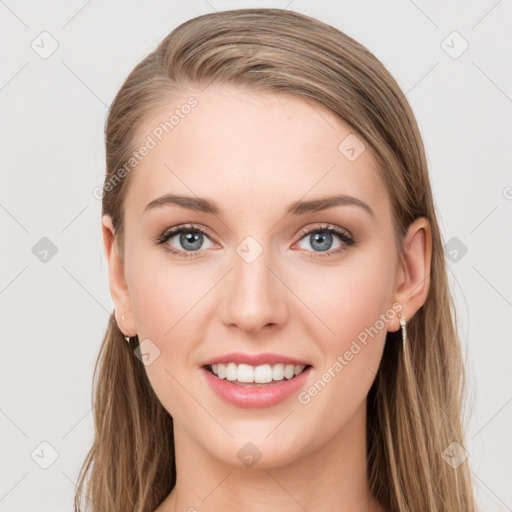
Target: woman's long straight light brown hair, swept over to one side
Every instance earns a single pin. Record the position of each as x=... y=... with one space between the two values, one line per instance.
x=414 y=406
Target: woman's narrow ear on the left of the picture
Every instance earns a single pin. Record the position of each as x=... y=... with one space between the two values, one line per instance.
x=117 y=281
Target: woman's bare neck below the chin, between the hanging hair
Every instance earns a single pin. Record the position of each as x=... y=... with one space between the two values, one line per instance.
x=332 y=476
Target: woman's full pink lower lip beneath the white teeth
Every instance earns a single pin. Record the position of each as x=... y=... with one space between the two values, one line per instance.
x=252 y=395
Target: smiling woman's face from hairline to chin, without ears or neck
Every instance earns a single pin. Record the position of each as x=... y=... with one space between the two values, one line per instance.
x=253 y=273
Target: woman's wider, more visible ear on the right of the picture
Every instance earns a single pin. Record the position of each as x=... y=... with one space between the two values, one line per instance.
x=413 y=276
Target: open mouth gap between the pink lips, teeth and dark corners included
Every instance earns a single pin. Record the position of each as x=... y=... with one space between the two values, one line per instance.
x=264 y=375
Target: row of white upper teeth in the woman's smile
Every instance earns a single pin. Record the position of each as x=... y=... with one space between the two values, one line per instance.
x=259 y=374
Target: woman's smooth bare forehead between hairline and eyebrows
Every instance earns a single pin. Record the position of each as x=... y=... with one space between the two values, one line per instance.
x=251 y=150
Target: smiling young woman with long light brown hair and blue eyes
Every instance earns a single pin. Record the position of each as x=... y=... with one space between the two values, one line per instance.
x=283 y=336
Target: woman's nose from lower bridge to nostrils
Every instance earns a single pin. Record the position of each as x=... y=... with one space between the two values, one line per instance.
x=254 y=299
